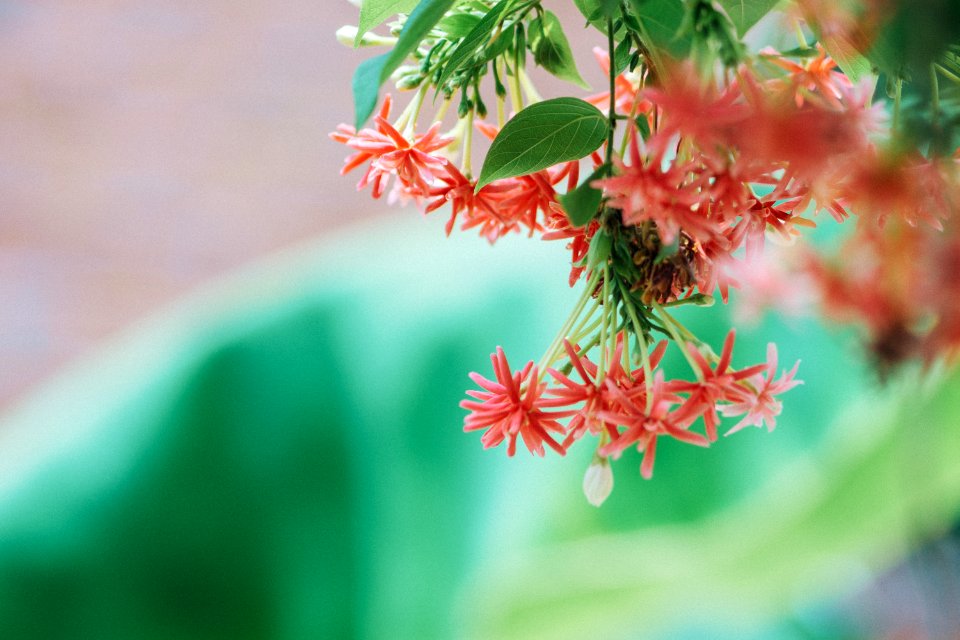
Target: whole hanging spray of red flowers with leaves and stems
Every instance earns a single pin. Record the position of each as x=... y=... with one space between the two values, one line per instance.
x=666 y=184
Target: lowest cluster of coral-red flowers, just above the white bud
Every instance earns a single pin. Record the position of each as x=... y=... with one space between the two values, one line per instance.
x=623 y=406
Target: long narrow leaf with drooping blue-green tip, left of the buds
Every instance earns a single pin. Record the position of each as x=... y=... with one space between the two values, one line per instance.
x=374 y=72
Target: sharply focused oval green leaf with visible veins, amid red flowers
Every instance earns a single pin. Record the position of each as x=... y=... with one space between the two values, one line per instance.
x=543 y=135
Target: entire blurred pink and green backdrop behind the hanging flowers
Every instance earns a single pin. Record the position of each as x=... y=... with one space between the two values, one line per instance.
x=230 y=384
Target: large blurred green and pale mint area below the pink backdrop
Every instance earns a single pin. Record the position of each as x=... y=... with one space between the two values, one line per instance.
x=281 y=456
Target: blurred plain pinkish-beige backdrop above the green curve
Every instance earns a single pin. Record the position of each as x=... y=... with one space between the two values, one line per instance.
x=146 y=146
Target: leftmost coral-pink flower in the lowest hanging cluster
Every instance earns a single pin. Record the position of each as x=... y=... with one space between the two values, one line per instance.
x=511 y=406
